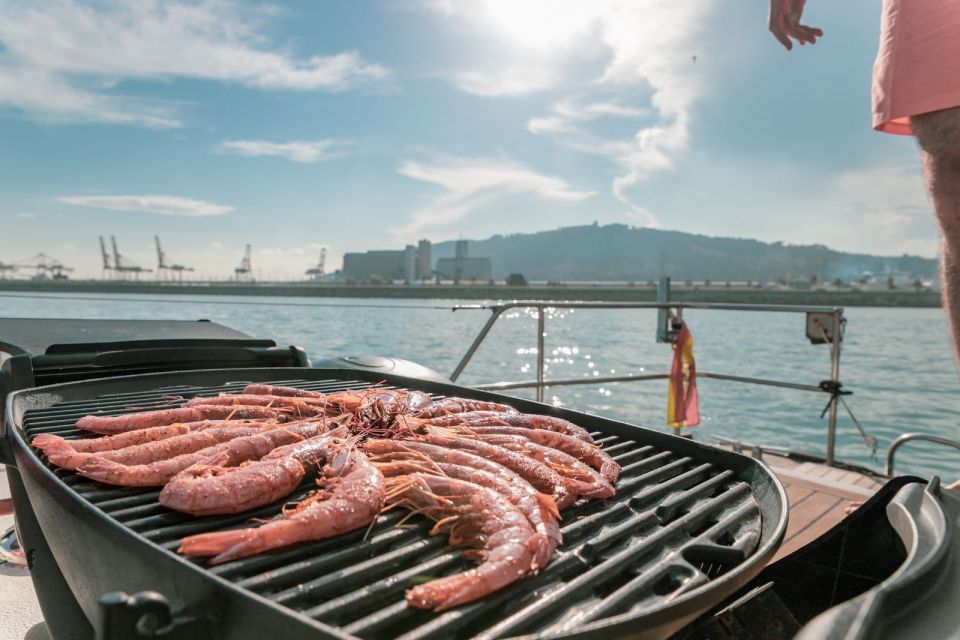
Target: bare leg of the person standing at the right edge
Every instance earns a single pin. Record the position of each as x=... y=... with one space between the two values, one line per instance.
x=938 y=133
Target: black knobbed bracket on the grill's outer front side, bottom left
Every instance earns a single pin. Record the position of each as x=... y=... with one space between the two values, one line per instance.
x=148 y=615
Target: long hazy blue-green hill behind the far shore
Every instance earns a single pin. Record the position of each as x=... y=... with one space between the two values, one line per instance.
x=620 y=252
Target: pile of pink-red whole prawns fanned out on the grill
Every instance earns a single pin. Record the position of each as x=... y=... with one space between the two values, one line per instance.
x=493 y=479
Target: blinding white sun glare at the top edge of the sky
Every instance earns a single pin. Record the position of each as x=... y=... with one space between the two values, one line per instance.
x=539 y=24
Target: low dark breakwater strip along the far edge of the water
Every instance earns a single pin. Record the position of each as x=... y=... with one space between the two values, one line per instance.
x=534 y=291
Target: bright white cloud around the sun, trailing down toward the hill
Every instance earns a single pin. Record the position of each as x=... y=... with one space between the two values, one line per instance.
x=650 y=46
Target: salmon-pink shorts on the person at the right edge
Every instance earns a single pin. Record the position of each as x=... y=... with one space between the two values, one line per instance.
x=918 y=64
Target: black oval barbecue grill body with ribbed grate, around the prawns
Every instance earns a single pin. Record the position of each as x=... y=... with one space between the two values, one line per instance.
x=690 y=525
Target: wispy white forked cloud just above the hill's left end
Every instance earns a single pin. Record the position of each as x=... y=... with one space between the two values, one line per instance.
x=470 y=184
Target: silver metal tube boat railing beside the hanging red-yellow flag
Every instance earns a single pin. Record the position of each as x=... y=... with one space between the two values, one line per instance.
x=828 y=323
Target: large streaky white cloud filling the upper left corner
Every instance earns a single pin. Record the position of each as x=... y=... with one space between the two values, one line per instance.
x=63 y=60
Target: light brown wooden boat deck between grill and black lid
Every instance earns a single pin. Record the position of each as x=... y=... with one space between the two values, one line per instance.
x=818 y=495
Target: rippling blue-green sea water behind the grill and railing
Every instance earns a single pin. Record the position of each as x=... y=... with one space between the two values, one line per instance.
x=897 y=361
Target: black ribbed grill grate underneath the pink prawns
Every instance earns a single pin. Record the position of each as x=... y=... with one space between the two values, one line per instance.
x=675 y=524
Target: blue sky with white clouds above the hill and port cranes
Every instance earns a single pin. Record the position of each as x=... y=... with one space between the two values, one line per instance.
x=370 y=125
